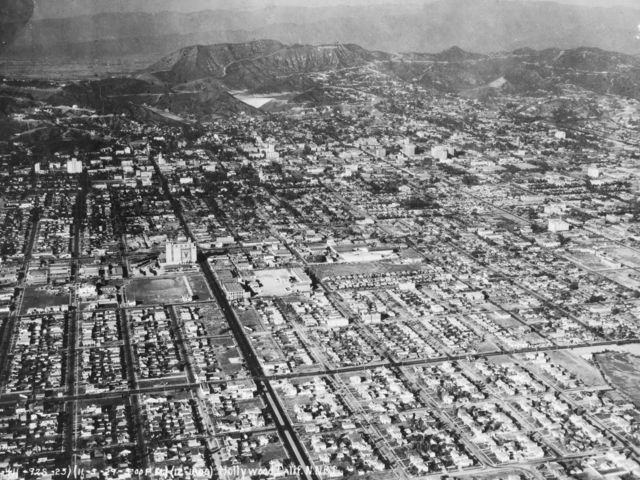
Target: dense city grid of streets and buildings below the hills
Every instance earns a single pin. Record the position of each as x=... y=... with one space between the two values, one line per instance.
x=382 y=283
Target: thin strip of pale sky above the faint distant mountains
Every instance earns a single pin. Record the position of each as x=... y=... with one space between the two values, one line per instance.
x=63 y=8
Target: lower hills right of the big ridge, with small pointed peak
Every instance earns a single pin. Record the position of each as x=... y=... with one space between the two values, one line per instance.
x=523 y=71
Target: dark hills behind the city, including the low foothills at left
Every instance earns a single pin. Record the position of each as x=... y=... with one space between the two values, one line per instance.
x=201 y=80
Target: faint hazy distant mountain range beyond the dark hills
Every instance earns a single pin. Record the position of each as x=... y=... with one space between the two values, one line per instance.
x=477 y=25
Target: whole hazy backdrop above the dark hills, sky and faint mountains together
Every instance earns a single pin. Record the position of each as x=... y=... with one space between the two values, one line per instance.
x=127 y=35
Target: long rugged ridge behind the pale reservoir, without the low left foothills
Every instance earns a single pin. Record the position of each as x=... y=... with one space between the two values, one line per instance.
x=268 y=66
